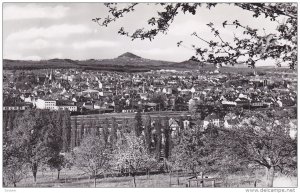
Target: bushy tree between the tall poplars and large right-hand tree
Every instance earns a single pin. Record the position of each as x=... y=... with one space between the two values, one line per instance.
x=197 y=151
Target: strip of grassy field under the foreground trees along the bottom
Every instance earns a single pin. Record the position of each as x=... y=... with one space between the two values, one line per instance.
x=75 y=178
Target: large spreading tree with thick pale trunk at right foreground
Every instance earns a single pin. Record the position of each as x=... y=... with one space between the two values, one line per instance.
x=263 y=139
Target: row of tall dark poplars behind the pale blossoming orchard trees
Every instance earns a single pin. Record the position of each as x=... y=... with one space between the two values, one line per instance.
x=155 y=132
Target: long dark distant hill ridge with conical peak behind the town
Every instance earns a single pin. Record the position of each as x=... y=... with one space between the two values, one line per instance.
x=127 y=62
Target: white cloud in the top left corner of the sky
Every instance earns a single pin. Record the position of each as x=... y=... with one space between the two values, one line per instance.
x=33 y=11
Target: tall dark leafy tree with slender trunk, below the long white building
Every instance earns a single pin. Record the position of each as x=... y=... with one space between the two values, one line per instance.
x=33 y=135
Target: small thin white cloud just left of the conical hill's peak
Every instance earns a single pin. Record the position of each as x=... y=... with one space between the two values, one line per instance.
x=94 y=44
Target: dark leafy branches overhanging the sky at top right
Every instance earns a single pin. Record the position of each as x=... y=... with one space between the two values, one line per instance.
x=253 y=45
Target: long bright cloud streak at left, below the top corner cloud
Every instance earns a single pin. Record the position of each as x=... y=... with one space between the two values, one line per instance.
x=54 y=31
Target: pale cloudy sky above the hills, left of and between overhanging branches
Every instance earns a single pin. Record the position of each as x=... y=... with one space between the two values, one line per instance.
x=38 y=31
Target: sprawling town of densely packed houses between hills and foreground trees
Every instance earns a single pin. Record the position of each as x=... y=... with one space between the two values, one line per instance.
x=202 y=97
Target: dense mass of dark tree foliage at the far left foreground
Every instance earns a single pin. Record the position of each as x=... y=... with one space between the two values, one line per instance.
x=34 y=141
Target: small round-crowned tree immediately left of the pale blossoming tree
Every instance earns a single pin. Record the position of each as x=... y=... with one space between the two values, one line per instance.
x=92 y=156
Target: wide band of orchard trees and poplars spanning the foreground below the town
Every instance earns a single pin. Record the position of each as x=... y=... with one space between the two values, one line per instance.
x=41 y=138
